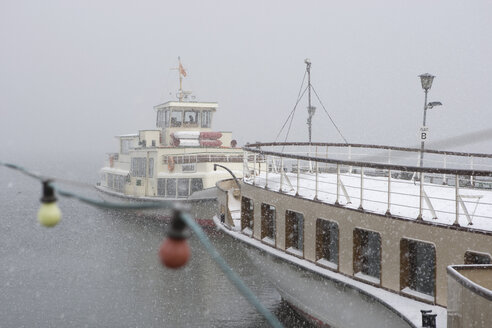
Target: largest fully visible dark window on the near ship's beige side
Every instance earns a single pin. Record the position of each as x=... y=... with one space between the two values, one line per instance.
x=417 y=267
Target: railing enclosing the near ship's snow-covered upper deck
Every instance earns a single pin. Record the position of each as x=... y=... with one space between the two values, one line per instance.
x=450 y=188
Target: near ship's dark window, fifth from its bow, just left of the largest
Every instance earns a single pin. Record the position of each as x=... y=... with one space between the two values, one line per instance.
x=367 y=255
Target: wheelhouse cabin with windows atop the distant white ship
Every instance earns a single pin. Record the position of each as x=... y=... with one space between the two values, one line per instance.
x=174 y=116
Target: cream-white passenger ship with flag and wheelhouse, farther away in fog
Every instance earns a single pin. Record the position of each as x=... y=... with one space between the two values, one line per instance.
x=174 y=161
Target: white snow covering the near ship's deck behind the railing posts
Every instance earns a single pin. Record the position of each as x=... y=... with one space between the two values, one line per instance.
x=404 y=196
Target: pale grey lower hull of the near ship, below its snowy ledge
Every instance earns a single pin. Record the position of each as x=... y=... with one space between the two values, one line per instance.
x=324 y=302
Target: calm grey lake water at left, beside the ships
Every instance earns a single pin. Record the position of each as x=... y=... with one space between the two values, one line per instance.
x=99 y=268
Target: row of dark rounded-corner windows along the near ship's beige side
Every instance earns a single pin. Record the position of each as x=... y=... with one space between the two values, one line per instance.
x=417 y=258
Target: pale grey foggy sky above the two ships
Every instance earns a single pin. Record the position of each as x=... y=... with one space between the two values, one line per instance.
x=73 y=74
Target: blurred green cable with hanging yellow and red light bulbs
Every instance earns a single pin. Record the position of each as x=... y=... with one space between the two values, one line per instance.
x=174 y=251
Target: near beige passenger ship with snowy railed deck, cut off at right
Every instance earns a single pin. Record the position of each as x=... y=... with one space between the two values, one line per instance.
x=350 y=240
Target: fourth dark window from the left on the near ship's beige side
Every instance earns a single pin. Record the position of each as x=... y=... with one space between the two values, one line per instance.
x=326 y=241
